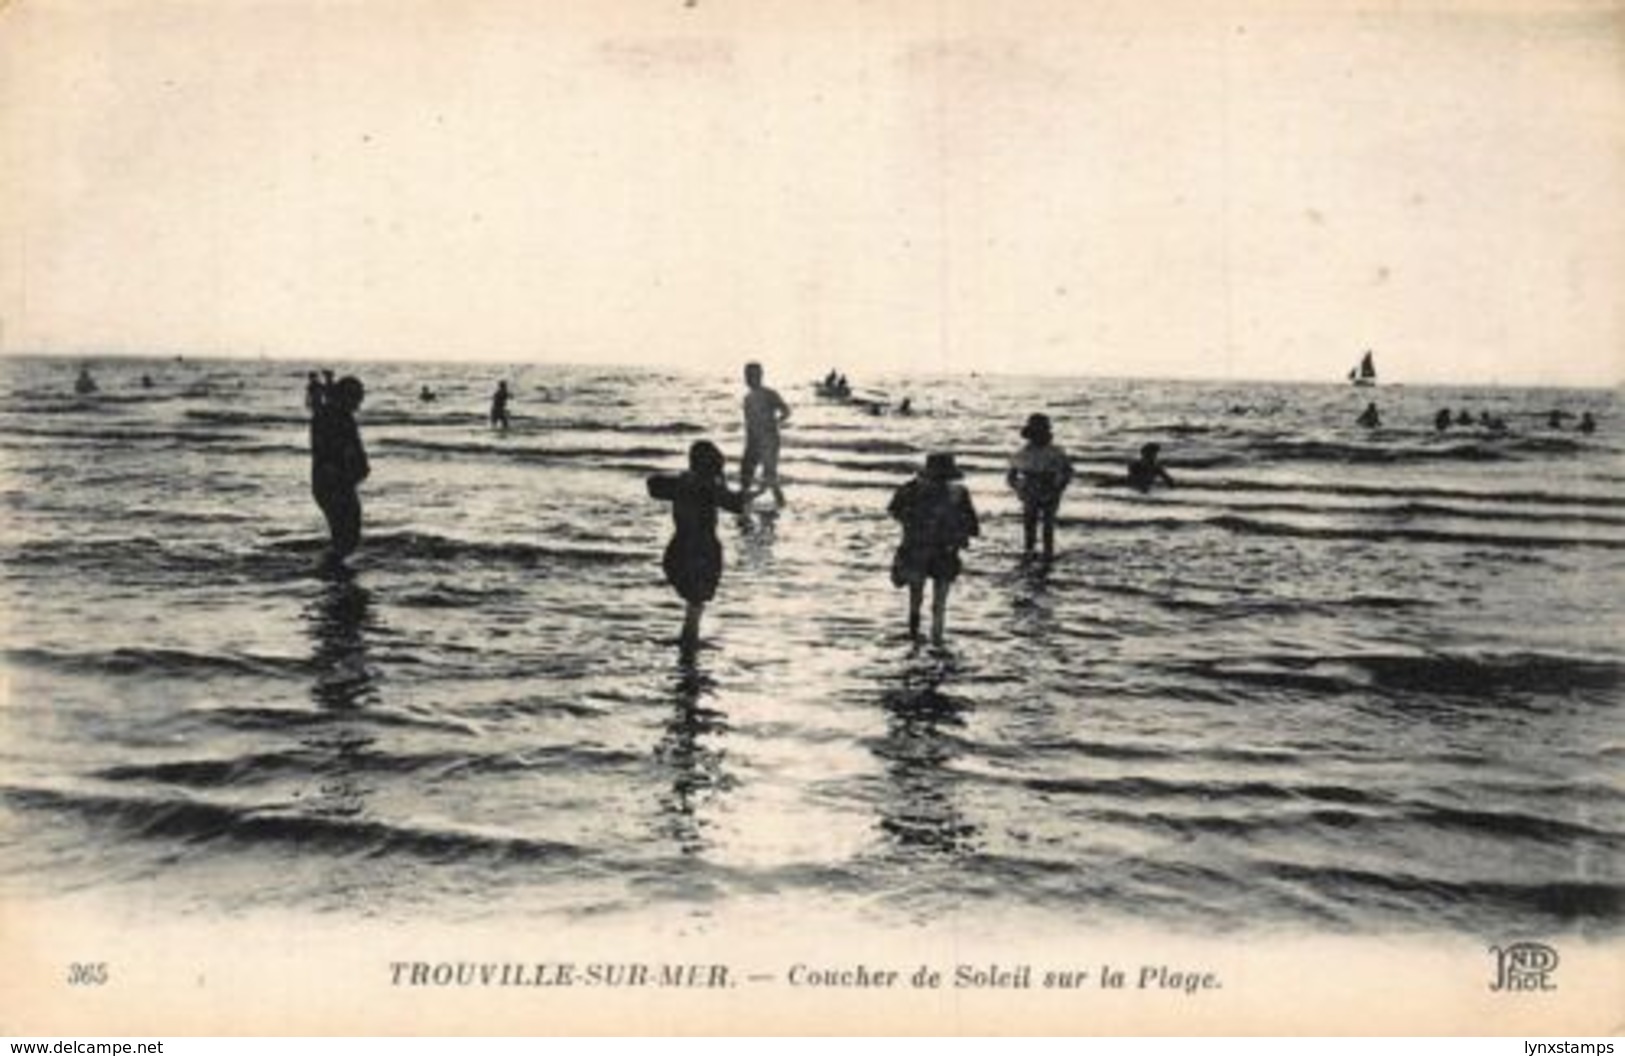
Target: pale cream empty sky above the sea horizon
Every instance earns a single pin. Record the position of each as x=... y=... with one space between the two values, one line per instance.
x=1187 y=191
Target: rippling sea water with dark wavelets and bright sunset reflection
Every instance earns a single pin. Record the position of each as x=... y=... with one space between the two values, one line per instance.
x=1337 y=678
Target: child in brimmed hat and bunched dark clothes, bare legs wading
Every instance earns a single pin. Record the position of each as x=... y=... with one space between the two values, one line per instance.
x=938 y=522
